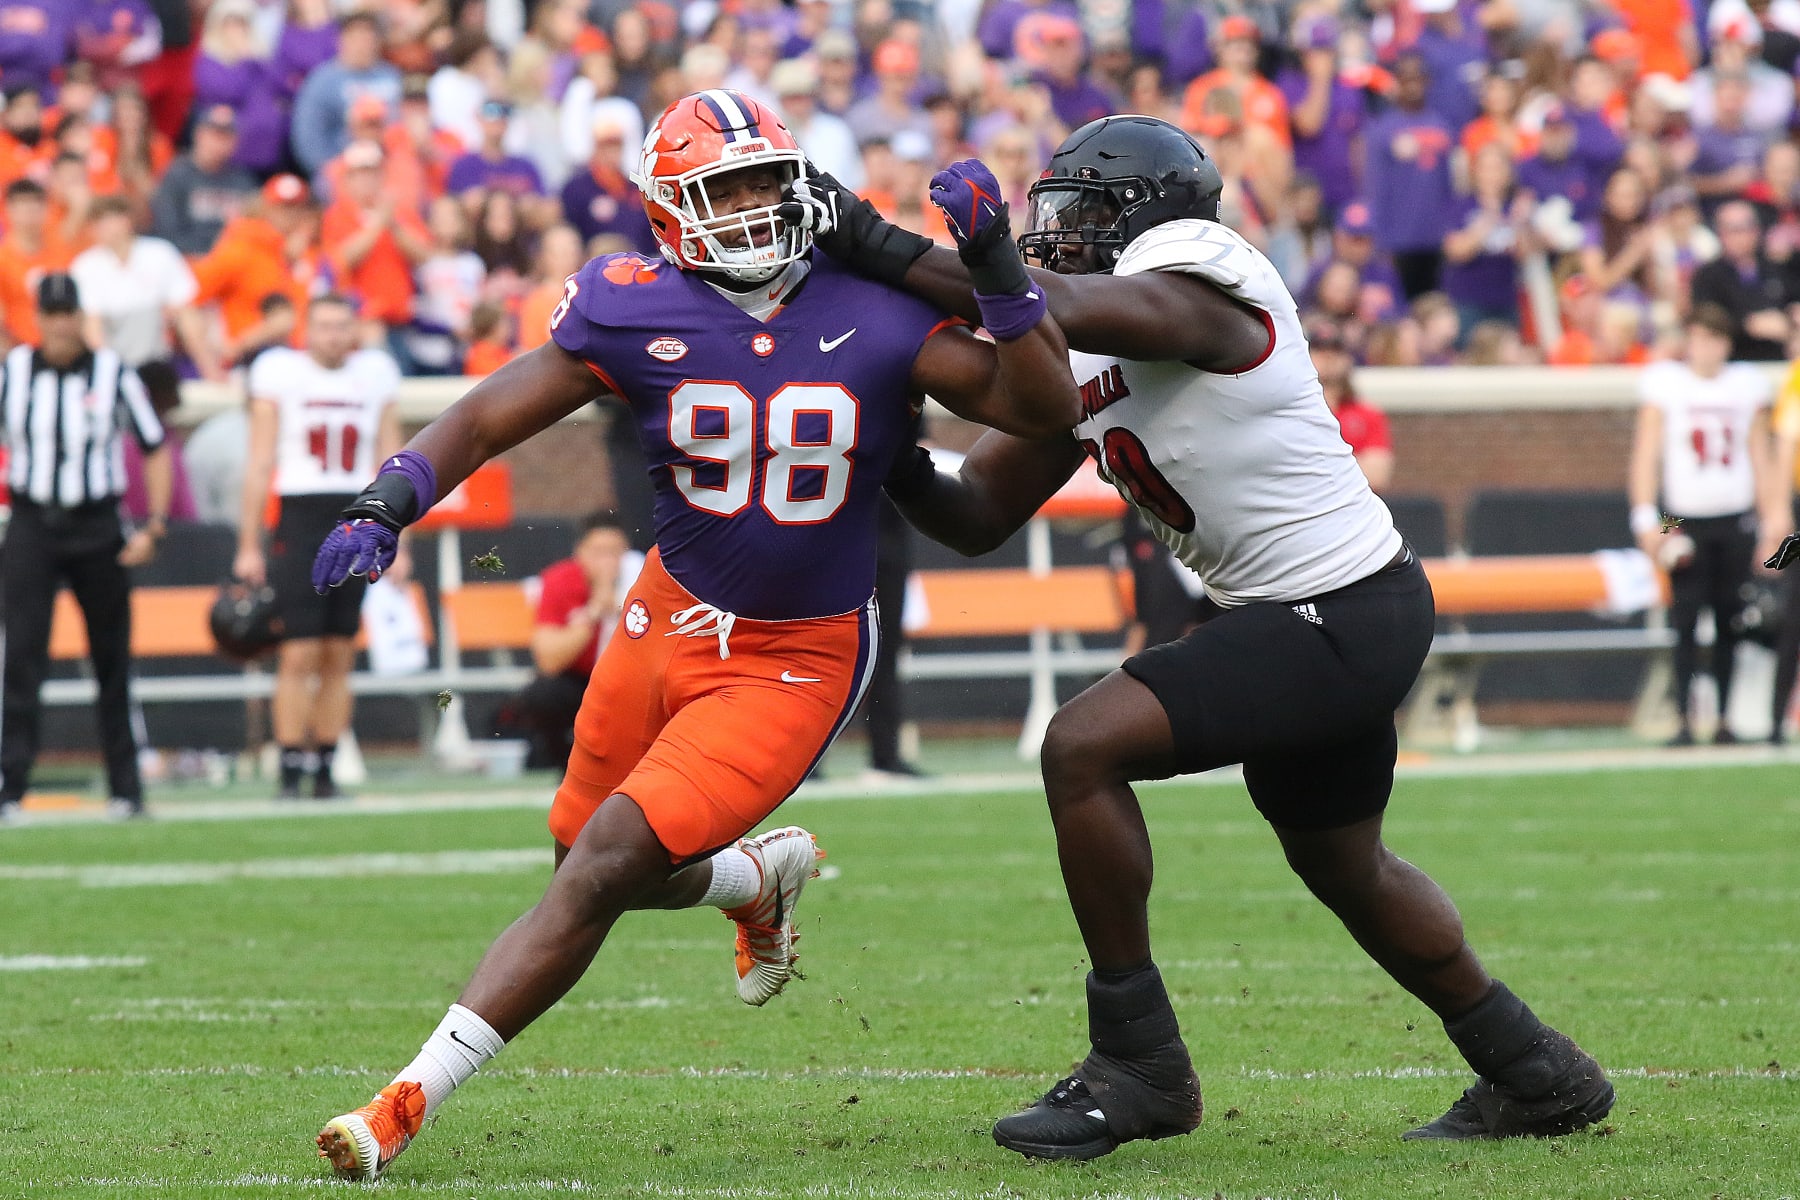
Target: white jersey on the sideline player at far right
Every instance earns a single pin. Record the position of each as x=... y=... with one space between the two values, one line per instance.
x=1707 y=469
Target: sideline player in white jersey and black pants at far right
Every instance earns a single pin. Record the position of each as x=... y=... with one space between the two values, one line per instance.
x=1702 y=456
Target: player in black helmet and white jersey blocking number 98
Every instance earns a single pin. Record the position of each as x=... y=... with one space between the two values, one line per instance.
x=1203 y=409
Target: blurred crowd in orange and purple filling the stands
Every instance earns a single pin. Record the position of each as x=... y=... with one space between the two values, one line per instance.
x=1439 y=181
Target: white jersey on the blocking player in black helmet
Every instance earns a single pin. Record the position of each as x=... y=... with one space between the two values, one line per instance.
x=1245 y=476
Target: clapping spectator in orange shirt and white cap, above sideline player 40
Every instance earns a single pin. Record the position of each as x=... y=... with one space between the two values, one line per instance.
x=373 y=246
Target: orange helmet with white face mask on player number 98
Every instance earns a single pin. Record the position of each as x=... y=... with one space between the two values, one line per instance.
x=703 y=138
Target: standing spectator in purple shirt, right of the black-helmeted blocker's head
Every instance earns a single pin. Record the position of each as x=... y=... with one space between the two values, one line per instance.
x=1408 y=172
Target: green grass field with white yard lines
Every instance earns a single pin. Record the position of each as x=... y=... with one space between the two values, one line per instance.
x=249 y=980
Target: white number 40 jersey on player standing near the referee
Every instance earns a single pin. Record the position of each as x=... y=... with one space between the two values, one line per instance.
x=328 y=418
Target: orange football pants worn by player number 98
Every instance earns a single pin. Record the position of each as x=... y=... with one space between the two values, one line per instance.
x=708 y=746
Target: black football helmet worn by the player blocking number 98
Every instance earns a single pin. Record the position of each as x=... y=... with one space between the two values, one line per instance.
x=1110 y=183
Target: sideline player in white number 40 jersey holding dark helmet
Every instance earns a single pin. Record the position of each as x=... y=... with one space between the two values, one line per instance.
x=321 y=420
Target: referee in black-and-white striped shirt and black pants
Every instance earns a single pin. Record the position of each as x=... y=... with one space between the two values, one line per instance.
x=67 y=409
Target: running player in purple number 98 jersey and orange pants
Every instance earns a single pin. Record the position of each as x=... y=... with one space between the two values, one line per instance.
x=773 y=393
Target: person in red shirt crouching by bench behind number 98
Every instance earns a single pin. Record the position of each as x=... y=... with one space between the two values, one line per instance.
x=579 y=611
